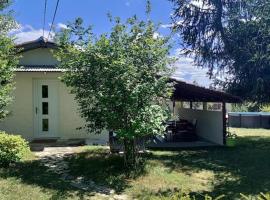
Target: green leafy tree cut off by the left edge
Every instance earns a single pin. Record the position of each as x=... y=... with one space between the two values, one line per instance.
x=8 y=59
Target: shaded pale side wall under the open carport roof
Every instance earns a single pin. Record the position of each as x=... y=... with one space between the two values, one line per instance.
x=209 y=123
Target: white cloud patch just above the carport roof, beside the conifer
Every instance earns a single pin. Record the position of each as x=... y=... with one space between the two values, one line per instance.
x=186 y=70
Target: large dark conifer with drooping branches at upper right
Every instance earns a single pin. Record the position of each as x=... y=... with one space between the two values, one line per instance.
x=230 y=38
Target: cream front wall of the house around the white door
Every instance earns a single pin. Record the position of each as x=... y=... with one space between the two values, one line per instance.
x=22 y=114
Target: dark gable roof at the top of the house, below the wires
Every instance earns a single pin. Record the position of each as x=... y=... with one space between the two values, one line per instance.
x=39 y=43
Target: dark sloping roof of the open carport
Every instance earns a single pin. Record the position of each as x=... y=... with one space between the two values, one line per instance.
x=189 y=92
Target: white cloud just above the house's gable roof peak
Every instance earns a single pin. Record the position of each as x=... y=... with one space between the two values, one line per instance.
x=27 y=33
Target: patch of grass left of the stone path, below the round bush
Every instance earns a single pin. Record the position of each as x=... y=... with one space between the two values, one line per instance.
x=29 y=180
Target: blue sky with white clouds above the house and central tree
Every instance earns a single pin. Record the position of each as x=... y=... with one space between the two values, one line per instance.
x=29 y=14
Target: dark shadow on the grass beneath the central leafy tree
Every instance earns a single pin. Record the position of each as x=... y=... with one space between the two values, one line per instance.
x=104 y=169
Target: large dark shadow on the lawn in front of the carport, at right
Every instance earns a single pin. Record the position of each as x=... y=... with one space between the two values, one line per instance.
x=244 y=168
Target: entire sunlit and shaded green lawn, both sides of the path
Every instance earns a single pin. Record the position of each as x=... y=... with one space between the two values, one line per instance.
x=242 y=168
